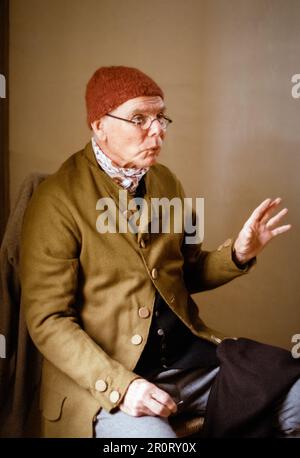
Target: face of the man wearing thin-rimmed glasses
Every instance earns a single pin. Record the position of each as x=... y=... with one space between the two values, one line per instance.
x=127 y=144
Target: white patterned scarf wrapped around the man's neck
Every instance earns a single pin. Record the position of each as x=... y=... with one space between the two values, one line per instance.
x=126 y=177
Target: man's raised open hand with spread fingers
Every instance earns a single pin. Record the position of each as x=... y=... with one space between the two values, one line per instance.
x=259 y=229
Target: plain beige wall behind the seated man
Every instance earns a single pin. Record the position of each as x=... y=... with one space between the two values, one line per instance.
x=226 y=69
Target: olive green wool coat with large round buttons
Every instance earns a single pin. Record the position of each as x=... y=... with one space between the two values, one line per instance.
x=82 y=290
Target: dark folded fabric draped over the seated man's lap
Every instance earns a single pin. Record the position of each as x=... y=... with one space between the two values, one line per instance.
x=252 y=377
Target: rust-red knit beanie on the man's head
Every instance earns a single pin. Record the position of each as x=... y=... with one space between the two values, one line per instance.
x=109 y=87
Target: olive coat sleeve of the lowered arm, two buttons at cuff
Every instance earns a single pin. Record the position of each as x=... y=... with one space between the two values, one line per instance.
x=49 y=265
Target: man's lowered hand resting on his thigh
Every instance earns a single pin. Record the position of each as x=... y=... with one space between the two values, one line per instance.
x=144 y=398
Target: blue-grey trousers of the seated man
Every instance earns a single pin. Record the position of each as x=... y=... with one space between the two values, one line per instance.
x=190 y=390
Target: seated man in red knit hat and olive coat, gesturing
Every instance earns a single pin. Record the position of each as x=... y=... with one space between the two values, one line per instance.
x=124 y=348
